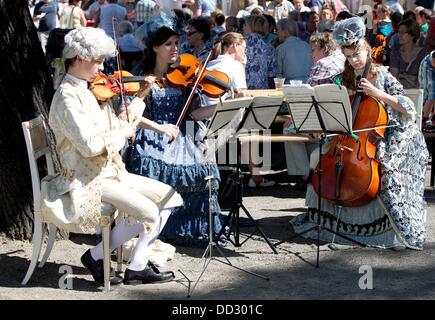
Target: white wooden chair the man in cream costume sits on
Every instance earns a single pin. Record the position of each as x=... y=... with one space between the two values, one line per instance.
x=35 y=133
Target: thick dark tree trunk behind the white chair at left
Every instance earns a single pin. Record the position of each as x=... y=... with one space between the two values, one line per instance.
x=26 y=88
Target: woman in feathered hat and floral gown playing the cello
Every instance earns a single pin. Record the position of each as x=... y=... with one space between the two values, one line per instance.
x=396 y=217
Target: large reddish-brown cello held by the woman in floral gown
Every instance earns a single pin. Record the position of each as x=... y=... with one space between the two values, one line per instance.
x=350 y=172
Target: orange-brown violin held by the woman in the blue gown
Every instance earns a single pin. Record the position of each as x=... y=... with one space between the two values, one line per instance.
x=212 y=83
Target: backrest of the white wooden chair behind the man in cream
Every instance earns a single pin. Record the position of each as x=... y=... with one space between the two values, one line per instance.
x=35 y=134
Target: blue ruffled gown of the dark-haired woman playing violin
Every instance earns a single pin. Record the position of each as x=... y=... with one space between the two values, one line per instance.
x=178 y=164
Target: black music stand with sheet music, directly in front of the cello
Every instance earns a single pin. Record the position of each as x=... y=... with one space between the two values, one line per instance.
x=331 y=115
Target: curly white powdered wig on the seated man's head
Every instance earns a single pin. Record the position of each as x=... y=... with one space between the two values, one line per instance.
x=88 y=43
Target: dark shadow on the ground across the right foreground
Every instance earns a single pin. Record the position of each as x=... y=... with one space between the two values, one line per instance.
x=338 y=277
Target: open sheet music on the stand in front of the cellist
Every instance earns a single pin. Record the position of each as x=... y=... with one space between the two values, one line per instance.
x=334 y=107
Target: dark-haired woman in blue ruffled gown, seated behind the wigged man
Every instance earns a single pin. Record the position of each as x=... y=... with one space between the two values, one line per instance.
x=175 y=157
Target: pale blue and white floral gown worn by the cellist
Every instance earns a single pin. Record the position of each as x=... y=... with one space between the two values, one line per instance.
x=397 y=216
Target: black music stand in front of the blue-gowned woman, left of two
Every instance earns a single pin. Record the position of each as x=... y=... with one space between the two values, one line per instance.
x=257 y=115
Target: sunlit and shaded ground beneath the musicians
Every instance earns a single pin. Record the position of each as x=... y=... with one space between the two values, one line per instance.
x=396 y=275
